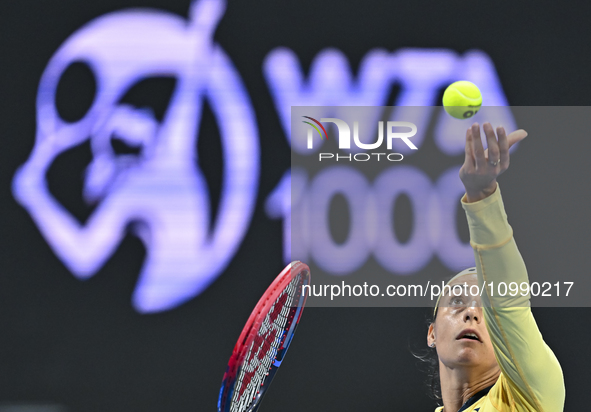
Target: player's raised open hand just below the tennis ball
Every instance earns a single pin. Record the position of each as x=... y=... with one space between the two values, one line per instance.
x=481 y=167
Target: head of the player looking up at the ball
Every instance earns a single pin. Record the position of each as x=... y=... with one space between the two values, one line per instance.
x=458 y=333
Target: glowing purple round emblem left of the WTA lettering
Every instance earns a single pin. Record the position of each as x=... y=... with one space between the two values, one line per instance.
x=162 y=189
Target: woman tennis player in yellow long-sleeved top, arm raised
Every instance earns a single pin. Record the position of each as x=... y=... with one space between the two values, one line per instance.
x=490 y=352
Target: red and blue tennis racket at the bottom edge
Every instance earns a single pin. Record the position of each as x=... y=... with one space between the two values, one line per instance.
x=264 y=341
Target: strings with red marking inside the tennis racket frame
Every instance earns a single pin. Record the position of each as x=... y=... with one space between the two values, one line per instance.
x=264 y=349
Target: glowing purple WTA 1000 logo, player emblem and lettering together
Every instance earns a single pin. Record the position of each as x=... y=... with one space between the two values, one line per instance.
x=160 y=189
